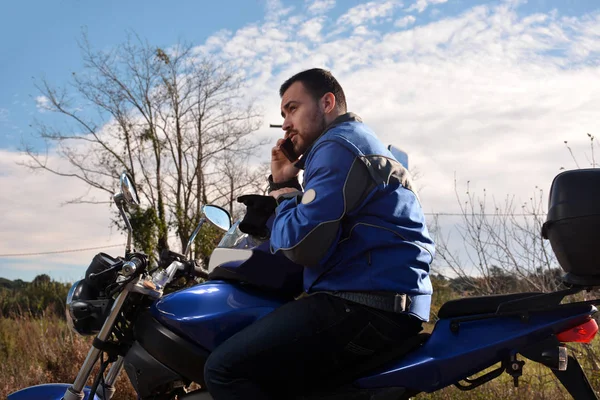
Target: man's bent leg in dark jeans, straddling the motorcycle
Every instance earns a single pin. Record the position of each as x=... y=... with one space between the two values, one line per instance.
x=302 y=342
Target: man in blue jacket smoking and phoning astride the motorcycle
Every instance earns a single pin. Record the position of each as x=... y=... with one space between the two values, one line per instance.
x=360 y=233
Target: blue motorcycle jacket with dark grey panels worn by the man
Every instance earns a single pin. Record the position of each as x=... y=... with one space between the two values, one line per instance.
x=358 y=226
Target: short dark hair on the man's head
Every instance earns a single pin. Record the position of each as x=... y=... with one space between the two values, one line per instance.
x=317 y=82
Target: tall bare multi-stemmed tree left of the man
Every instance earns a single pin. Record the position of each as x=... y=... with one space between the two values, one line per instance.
x=170 y=118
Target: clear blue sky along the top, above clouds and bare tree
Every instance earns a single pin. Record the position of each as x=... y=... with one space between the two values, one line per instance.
x=40 y=38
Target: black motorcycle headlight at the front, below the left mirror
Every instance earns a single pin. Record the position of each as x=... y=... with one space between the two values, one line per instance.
x=85 y=313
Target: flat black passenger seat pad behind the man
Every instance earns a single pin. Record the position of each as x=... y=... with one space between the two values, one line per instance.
x=479 y=304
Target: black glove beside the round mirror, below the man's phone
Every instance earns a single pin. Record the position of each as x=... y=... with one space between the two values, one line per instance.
x=258 y=210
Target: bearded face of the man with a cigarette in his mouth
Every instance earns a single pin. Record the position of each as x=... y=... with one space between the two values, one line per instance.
x=304 y=119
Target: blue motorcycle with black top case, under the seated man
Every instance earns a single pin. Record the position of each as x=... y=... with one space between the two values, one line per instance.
x=163 y=340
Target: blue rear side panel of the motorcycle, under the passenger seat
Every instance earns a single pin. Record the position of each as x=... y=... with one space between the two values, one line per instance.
x=448 y=357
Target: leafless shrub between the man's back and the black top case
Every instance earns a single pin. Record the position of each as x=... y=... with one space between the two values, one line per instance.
x=502 y=247
